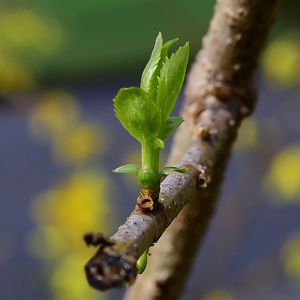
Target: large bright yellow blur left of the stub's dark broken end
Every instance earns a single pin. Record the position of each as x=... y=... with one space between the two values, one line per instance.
x=63 y=215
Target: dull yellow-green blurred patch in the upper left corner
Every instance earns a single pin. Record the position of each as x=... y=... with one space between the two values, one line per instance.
x=24 y=33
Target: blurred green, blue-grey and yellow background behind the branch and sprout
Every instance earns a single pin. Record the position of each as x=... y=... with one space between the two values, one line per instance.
x=61 y=63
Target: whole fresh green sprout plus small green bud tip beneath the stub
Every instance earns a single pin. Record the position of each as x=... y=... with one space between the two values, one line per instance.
x=145 y=113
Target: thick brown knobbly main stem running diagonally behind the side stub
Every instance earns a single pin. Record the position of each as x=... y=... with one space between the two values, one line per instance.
x=218 y=95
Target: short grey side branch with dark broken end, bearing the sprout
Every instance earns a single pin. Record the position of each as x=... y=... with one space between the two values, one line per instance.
x=114 y=264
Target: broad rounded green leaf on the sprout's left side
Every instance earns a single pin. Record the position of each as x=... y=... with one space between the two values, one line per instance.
x=137 y=113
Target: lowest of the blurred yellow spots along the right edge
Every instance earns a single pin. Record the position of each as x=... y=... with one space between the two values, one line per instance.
x=291 y=257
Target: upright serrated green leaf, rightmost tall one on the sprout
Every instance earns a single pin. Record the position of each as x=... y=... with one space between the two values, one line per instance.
x=170 y=81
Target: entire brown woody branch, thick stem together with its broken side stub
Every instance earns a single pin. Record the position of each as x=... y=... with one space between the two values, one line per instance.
x=219 y=94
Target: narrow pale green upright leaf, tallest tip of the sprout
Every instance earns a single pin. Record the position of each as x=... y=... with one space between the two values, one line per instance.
x=149 y=76
